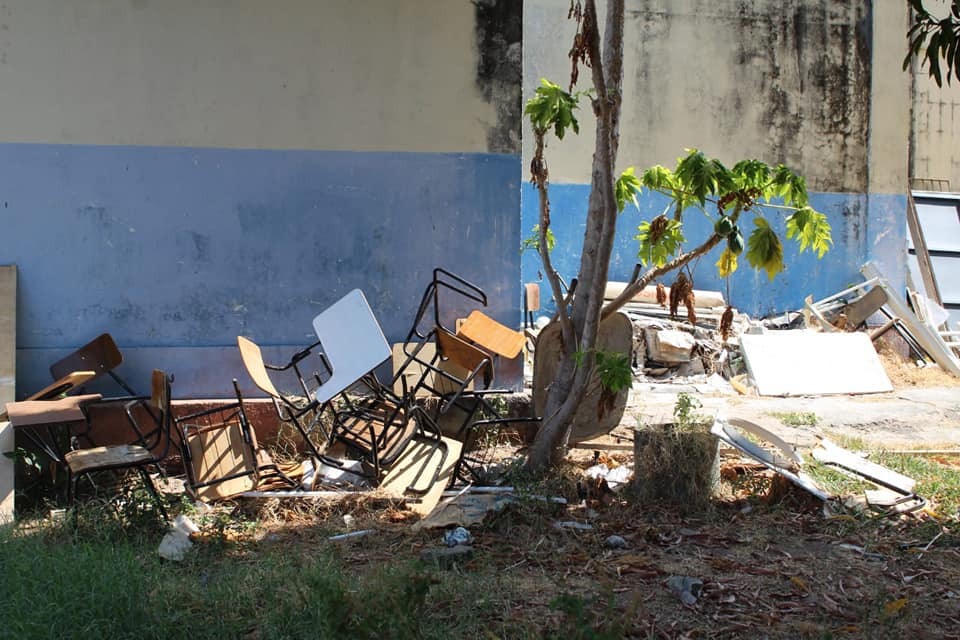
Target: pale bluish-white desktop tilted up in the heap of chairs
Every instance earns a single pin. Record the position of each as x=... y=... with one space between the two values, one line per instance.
x=352 y=340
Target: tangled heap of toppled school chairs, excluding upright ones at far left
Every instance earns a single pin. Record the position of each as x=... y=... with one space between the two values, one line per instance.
x=357 y=430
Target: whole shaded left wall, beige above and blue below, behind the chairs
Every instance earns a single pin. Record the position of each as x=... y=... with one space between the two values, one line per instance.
x=180 y=172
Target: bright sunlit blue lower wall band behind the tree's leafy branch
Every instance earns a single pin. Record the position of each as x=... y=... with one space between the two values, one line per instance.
x=864 y=227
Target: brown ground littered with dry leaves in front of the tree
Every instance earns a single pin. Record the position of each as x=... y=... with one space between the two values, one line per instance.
x=772 y=565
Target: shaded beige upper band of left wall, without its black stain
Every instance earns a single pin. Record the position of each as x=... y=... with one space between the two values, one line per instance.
x=336 y=74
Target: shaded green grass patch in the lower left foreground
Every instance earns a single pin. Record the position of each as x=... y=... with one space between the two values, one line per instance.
x=102 y=579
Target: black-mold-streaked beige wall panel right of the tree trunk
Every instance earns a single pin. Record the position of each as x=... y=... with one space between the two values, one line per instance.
x=783 y=81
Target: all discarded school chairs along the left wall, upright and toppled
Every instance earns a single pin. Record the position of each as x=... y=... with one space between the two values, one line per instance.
x=356 y=430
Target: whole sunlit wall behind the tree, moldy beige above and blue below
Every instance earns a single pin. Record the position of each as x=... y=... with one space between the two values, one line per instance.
x=798 y=82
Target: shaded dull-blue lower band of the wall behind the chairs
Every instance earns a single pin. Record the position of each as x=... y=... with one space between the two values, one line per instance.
x=176 y=251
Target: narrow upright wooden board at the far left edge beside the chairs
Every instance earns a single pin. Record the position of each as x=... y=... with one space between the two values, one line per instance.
x=8 y=365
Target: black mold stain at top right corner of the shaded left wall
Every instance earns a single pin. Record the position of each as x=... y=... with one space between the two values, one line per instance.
x=499 y=43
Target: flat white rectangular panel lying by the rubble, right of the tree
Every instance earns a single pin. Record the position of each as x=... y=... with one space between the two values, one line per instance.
x=809 y=363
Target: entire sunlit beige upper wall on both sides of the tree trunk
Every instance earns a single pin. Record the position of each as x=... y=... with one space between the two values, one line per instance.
x=782 y=81
